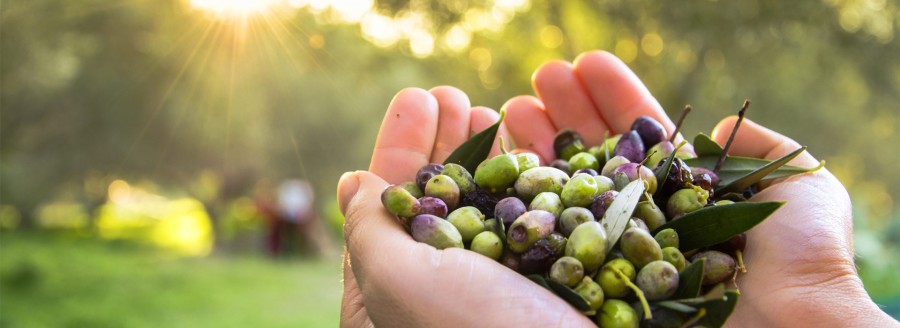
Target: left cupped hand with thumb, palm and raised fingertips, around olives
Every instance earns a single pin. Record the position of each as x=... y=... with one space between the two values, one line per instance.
x=393 y=281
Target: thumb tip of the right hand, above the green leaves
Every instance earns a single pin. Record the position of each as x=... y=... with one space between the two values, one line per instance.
x=754 y=140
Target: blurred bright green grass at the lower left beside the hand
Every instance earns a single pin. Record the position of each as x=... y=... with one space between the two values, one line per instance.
x=58 y=281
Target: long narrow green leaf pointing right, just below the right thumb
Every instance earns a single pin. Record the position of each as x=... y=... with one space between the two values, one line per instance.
x=736 y=167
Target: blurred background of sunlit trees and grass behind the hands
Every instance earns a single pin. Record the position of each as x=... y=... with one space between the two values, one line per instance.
x=134 y=134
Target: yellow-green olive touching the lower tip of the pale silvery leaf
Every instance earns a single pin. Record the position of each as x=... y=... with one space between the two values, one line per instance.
x=587 y=243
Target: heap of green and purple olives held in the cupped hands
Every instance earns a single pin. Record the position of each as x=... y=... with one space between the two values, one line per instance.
x=549 y=221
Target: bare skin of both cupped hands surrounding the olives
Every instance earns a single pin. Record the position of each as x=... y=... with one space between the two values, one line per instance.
x=800 y=271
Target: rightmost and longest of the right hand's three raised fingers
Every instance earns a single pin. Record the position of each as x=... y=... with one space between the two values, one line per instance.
x=617 y=92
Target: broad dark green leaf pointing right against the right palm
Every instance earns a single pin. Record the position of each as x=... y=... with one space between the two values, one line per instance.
x=712 y=225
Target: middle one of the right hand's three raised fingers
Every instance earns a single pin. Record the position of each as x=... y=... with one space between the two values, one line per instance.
x=567 y=102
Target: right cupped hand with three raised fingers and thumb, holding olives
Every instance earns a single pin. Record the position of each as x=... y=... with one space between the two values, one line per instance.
x=800 y=260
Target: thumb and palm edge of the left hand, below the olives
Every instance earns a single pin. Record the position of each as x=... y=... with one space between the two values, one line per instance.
x=406 y=283
